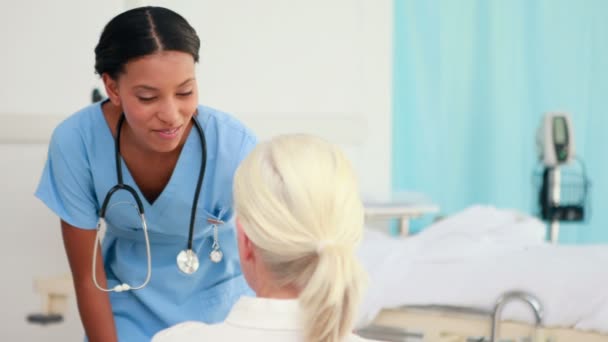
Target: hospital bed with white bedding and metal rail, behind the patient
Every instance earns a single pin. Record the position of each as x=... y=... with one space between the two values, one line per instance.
x=446 y=283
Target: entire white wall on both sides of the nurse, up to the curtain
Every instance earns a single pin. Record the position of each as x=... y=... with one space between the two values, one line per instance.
x=317 y=66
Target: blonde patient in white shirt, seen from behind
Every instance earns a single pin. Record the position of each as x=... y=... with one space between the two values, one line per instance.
x=299 y=220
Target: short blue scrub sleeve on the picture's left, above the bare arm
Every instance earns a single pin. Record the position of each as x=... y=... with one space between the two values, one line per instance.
x=66 y=184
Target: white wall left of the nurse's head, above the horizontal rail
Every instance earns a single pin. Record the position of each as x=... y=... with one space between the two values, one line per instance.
x=47 y=53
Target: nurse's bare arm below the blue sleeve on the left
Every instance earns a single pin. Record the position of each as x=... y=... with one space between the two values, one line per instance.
x=93 y=304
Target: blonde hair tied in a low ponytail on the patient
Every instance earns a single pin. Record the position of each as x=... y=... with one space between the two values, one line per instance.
x=298 y=202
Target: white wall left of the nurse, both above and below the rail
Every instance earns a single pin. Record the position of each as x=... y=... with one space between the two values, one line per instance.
x=47 y=68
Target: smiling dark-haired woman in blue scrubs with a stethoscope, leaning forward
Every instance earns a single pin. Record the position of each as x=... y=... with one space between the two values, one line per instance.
x=158 y=168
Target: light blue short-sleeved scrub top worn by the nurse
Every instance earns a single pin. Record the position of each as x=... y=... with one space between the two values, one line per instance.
x=80 y=170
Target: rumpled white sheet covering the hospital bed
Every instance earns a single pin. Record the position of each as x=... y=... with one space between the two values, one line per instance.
x=470 y=259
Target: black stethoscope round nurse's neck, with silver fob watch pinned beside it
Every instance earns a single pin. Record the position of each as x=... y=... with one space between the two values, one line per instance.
x=187 y=259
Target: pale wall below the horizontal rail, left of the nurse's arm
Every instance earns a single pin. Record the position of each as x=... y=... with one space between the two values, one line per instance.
x=31 y=247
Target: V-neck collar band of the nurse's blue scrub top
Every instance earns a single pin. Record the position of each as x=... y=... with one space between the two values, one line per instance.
x=163 y=200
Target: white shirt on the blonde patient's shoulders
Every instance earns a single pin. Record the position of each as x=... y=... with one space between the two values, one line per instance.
x=251 y=319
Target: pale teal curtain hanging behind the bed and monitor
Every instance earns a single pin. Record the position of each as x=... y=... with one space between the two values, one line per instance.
x=472 y=80
